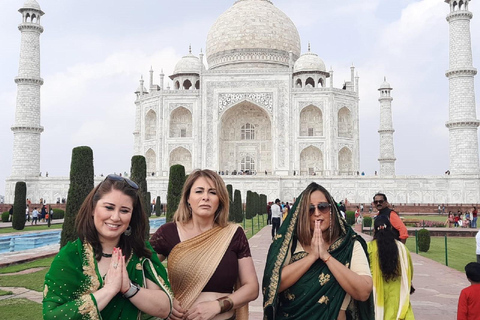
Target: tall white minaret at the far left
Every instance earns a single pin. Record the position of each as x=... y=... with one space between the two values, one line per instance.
x=27 y=128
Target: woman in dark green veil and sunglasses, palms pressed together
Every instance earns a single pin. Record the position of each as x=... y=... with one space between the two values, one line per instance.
x=317 y=267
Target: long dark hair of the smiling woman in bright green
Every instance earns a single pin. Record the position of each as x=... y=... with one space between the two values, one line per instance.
x=86 y=228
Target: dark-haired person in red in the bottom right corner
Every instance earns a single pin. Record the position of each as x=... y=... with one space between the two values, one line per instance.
x=469 y=301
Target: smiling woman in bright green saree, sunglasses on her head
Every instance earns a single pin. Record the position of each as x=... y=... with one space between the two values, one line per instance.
x=109 y=272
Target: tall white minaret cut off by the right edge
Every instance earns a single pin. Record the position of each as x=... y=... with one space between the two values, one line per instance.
x=462 y=122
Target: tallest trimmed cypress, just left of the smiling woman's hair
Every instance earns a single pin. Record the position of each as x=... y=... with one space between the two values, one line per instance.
x=81 y=183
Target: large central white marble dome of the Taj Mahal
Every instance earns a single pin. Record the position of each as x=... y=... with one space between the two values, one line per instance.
x=252 y=33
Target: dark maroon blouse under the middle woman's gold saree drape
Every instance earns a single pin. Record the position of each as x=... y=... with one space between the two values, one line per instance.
x=226 y=274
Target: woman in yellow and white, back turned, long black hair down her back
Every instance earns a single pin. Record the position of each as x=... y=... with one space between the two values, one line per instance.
x=392 y=273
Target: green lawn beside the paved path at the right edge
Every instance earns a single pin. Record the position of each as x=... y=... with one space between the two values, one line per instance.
x=461 y=250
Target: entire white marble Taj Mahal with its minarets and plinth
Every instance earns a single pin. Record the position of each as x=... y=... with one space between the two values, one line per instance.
x=265 y=113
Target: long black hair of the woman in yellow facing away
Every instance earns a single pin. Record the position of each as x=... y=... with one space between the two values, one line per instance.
x=387 y=248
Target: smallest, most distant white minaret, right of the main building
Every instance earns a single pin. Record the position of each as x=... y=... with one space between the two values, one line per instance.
x=387 y=154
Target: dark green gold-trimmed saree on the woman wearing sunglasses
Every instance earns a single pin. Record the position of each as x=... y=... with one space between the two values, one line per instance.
x=317 y=294
